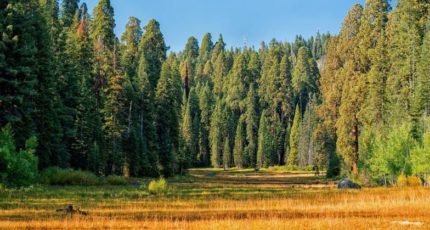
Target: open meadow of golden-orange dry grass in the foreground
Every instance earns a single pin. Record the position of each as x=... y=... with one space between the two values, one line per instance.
x=238 y=199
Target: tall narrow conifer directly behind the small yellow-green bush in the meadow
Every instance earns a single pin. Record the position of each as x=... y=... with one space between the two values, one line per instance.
x=168 y=101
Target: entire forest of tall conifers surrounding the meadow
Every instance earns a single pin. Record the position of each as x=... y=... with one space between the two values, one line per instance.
x=73 y=94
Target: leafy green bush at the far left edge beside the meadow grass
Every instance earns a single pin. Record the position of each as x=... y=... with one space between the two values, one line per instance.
x=17 y=168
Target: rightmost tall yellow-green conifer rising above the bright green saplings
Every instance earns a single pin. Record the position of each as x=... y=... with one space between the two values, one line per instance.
x=404 y=32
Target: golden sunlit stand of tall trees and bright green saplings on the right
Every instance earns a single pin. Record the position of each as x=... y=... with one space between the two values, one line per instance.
x=375 y=86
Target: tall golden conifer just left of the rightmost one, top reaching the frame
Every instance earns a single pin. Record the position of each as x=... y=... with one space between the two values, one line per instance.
x=372 y=58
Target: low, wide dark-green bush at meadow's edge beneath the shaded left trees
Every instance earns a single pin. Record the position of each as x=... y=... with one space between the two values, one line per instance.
x=58 y=176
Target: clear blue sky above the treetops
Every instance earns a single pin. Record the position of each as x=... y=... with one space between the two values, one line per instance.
x=239 y=21
